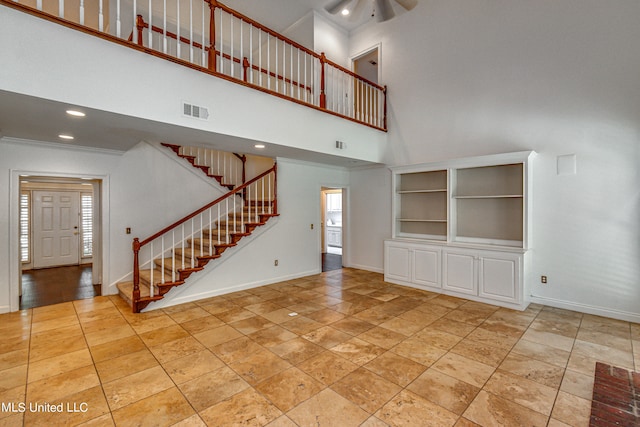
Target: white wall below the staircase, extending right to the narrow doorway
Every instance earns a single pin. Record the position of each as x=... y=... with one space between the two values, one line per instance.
x=288 y=238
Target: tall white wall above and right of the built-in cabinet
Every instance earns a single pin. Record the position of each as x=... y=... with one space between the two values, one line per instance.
x=470 y=78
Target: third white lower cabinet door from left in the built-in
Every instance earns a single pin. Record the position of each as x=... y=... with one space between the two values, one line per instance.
x=460 y=272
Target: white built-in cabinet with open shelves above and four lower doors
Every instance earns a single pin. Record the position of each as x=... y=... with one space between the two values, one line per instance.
x=462 y=228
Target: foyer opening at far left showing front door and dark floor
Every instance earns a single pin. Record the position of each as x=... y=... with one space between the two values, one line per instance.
x=59 y=240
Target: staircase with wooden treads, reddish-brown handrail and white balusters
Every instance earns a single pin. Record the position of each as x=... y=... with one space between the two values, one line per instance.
x=168 y=258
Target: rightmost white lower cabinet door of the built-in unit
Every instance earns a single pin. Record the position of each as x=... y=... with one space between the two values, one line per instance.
x=500 y=276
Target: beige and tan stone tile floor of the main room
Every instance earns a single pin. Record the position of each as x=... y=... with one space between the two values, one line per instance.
x=360 y=352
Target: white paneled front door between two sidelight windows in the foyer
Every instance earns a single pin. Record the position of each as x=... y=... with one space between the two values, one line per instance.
x=55 y=228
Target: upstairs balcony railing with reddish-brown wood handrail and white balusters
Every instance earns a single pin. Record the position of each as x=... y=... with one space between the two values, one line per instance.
x=210 y=36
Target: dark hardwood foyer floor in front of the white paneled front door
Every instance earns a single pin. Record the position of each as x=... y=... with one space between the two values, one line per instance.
x=55 y=285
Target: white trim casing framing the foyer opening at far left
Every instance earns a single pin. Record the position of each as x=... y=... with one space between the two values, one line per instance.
x=14 y=226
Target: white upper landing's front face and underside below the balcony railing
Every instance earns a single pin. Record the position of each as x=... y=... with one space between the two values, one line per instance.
x=129 y=94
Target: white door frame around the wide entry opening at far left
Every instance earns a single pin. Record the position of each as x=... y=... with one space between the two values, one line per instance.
x=100 y=225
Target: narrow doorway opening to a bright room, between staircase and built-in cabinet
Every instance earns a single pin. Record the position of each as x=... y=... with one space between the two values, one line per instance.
x=332 y=230
